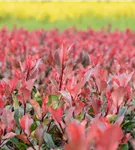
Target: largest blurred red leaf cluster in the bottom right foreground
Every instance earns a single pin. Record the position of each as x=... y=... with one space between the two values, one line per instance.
x=106 y=136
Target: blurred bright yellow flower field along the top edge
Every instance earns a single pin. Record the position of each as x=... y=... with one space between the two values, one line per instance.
x=62 y=10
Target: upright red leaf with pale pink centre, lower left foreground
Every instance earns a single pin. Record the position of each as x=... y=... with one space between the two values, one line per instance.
x=25 y=123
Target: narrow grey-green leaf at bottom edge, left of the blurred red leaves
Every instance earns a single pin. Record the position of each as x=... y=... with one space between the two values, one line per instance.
x=49 y=141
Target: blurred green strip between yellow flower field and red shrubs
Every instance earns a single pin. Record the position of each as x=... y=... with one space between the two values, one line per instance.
x=82 y=23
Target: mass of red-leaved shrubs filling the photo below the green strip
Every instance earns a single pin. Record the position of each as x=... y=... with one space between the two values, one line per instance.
x=71 y=90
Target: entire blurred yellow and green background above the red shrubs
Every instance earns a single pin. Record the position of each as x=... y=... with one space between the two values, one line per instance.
x=64 y=14
